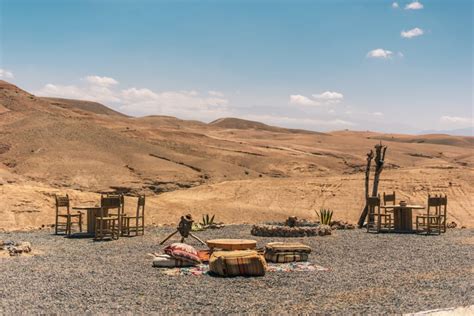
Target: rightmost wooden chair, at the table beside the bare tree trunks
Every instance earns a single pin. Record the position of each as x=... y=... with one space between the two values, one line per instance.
x=431 y=222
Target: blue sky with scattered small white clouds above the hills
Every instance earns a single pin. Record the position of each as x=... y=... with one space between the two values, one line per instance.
x=320 y=65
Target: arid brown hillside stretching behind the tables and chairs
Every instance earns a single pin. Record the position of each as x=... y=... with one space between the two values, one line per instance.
x=242 y=171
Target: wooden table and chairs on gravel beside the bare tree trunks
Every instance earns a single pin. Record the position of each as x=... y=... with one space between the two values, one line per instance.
x=393 y=217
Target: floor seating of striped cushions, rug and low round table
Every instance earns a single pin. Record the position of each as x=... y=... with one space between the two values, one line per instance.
x=234 y=257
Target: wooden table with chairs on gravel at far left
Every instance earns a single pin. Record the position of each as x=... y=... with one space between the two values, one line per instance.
x=108 y=220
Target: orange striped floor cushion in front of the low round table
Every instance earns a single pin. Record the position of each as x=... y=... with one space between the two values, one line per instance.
x=237 y=263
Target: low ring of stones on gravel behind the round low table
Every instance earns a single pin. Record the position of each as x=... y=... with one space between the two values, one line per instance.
x=265 y=230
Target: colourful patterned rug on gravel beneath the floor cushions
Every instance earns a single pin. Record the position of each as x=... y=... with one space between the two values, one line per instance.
x=203 y=269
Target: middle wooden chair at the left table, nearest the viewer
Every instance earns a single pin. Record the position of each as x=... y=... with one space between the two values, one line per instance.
x=108 y=223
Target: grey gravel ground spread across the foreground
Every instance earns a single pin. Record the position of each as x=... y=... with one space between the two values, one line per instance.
x=386 y=273
